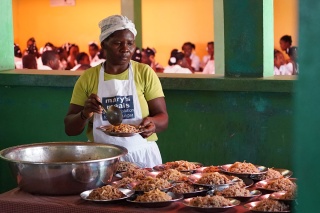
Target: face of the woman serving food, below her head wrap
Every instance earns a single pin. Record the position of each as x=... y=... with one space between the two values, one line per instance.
x=119 y=47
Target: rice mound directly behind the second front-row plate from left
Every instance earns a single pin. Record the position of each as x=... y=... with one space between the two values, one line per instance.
x=150 y=183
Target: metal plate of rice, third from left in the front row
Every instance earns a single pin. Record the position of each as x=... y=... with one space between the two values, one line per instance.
x=210 y=203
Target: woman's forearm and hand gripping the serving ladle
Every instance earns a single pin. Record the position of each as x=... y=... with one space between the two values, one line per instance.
x=77 y=116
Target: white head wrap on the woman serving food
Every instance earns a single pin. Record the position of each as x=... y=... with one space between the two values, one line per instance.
x=113 y=23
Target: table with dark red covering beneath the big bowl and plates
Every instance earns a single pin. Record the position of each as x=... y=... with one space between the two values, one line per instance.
x=17 y=200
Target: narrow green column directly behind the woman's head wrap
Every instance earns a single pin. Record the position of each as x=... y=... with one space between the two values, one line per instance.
x=132 y=9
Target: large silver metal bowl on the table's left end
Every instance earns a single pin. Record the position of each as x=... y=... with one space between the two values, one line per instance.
x=62 y=168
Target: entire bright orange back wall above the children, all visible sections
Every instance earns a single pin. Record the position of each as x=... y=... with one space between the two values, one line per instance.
x=165 y=24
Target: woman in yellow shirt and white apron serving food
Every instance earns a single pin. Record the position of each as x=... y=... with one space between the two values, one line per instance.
x=120 y=81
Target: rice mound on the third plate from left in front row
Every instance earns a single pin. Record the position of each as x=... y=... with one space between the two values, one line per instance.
x=210 y=201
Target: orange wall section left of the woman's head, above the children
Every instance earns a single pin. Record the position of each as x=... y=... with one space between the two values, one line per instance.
x=77 y=24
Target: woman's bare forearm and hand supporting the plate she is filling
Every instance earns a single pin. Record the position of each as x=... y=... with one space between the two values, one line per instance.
x=158 y=117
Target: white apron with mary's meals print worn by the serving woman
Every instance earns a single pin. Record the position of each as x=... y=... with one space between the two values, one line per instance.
x=123 y=94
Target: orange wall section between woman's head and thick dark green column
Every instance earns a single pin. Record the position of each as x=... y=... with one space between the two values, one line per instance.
x=167 y=24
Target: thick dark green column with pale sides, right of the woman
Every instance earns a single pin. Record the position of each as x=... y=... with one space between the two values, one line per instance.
x=244 y=38
